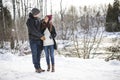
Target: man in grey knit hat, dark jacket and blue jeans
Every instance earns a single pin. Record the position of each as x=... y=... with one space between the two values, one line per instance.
x=35 y=38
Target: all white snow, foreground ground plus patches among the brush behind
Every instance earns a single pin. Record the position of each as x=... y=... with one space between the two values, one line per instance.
x=15 y=67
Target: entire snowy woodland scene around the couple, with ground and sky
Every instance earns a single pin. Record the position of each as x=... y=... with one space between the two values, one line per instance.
x=88 y=38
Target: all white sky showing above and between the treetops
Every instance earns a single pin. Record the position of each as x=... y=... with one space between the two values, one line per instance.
x=65 y=3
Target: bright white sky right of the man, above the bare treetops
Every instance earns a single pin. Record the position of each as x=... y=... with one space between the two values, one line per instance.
x=77 y=3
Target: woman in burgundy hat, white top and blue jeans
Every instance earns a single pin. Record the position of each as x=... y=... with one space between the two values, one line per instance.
x=49 y=42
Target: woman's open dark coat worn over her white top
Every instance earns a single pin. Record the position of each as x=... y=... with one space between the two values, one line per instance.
x=51 y=30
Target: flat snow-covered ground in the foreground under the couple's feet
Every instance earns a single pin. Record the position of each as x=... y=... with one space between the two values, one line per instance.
x=14 y=67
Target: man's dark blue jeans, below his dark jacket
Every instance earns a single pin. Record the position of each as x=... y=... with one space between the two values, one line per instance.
x=36 y=49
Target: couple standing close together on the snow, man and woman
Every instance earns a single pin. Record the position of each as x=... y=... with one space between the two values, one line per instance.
x=41 y=36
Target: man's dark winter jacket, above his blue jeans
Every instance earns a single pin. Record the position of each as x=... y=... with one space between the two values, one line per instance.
x=33 y=25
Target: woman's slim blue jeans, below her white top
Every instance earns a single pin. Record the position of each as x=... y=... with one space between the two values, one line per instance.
x=49 y=53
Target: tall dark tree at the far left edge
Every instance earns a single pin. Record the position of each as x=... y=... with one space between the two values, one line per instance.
x=5 y=27
